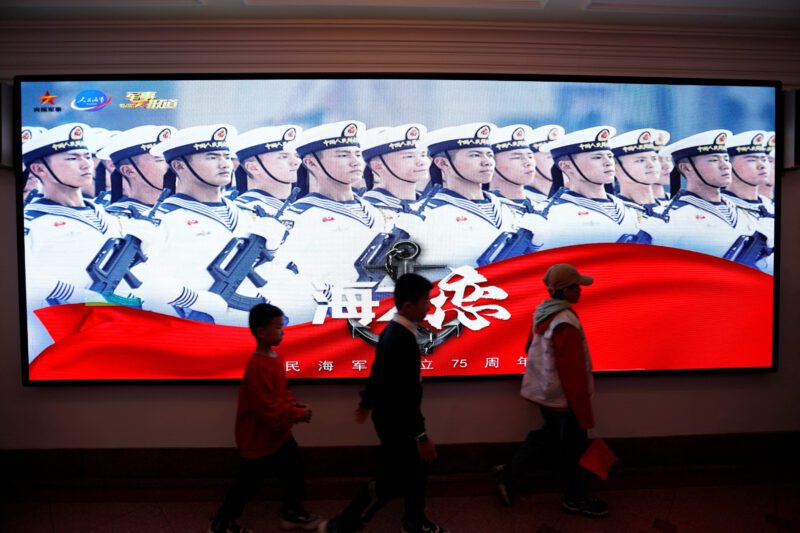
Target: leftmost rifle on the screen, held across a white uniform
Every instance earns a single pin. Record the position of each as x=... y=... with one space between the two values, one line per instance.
x=114 y=262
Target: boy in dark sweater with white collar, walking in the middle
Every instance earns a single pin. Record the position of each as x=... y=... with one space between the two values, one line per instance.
x=394 y=397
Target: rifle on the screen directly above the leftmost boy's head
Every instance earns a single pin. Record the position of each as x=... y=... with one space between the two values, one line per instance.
x=237 y=261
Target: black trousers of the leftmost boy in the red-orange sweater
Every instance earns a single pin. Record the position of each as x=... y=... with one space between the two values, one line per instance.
x=285 y=464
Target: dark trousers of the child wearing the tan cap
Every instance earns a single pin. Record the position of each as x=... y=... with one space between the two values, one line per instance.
x=562 y=436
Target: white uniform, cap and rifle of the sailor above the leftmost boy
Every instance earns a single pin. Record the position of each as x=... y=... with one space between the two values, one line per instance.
x=177 y=278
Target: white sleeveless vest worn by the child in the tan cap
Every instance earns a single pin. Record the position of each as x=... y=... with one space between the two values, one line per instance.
x=541 y=383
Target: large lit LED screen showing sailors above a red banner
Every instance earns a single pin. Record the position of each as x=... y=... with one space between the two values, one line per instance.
x=154 y=213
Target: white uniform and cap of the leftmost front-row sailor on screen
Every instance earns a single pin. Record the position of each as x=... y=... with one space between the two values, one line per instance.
x=60 y=241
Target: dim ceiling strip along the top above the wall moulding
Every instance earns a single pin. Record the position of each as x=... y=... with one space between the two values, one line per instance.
x=753 y=14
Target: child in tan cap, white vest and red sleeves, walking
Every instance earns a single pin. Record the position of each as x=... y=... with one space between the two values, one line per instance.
x=558 y=378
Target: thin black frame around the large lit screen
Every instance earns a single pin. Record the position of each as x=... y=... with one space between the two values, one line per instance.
x=19 y=184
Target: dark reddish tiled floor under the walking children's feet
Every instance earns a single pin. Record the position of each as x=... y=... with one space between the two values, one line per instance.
x=748 y=502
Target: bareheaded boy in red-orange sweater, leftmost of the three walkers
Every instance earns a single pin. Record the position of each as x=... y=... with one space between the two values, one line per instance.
x=265 y=415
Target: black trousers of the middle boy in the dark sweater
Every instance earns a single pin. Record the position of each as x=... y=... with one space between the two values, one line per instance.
x=401 y=471
